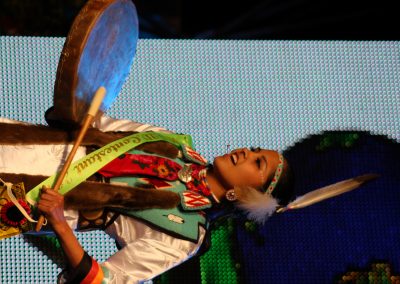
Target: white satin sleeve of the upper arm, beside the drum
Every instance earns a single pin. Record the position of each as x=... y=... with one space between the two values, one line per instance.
x=110 y=124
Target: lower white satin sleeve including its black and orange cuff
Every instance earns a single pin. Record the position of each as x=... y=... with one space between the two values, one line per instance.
x=140 y=260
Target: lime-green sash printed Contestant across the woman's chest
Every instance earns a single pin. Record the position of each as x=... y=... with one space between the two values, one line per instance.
x=80 y=170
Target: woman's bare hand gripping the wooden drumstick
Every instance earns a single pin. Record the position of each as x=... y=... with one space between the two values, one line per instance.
x=51 y=204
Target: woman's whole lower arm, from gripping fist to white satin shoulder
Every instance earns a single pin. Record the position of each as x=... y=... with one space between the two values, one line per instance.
x=150 y=254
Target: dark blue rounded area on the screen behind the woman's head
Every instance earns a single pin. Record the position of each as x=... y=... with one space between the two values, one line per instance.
x=321 y=243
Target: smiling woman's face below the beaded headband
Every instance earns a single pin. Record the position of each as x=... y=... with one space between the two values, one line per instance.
x=245 y=167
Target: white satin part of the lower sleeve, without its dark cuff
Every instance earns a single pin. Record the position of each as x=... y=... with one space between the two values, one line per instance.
x=148 y=252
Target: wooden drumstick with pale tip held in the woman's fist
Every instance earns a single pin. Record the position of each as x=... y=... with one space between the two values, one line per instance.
x=94 y=107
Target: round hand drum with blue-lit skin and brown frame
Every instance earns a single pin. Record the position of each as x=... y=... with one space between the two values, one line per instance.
x=98 y=51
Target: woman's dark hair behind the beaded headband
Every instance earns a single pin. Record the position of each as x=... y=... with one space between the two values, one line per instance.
x=284 y=190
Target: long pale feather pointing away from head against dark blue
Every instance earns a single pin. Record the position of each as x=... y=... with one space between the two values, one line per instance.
x=328 y=191
